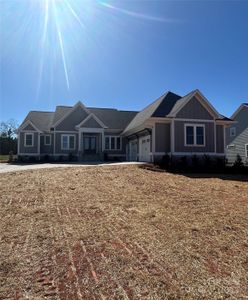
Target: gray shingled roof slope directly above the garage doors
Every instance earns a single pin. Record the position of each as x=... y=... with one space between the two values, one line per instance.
x=159 y=108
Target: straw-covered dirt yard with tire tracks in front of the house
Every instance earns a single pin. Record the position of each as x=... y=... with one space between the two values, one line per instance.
x=122 y=232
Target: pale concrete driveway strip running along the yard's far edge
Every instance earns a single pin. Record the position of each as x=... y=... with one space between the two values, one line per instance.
x=5 y=167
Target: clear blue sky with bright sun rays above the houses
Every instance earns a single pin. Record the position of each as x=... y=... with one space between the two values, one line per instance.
x=121 y=54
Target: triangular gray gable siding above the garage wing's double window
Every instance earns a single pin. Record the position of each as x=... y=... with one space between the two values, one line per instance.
x=194 y=110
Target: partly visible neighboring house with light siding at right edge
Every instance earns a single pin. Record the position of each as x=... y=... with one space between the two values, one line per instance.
x=237 y=136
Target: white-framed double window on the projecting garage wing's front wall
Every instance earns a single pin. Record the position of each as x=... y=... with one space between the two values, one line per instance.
x=194 y=135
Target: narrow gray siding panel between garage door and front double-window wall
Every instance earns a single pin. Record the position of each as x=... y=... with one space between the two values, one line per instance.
x=162 y=137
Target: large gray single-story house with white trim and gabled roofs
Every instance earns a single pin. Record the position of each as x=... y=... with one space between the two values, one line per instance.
x=172 y=125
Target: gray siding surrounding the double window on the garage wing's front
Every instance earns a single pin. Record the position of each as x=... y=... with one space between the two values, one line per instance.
x=179 y=138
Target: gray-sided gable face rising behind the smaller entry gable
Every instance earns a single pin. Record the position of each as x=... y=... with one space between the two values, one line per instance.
x=72 y=119
